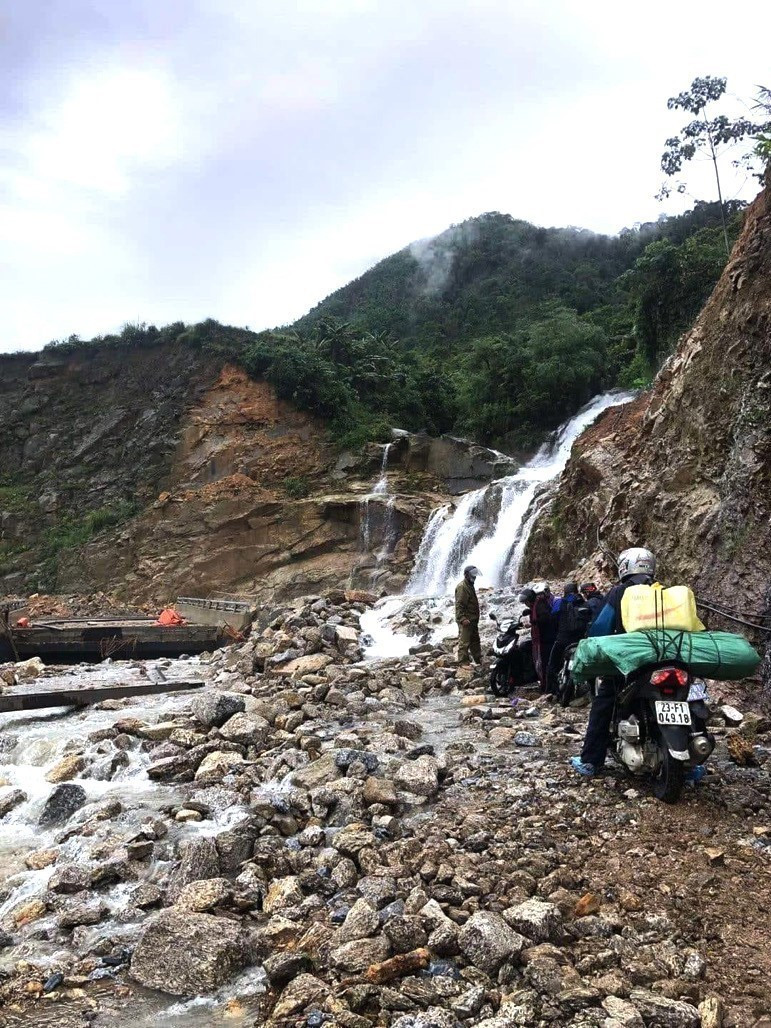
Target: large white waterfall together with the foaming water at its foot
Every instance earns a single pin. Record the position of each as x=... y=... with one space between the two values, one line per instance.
x=490 y=528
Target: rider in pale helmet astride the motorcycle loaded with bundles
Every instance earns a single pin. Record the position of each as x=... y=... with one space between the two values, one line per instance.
x=637 y=567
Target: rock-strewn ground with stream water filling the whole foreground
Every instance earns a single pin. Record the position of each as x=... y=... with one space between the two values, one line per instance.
x=316 y=840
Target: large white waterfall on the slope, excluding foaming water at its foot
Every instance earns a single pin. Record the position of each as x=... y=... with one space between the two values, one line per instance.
x=490 y=528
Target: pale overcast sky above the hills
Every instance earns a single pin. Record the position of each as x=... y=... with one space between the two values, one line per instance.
x=176 y=160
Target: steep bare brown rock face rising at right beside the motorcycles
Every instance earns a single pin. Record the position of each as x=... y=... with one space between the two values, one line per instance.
x=686 y=470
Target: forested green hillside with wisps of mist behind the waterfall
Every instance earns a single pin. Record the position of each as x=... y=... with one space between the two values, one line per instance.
x=497 y=328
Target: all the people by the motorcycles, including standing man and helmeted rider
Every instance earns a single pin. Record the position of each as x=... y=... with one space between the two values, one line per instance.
x=557 y=623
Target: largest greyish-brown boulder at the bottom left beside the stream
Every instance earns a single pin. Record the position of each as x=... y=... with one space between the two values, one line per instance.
x=185 y=953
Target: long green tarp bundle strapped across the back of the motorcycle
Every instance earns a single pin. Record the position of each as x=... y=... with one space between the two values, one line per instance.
x=714 y=655
